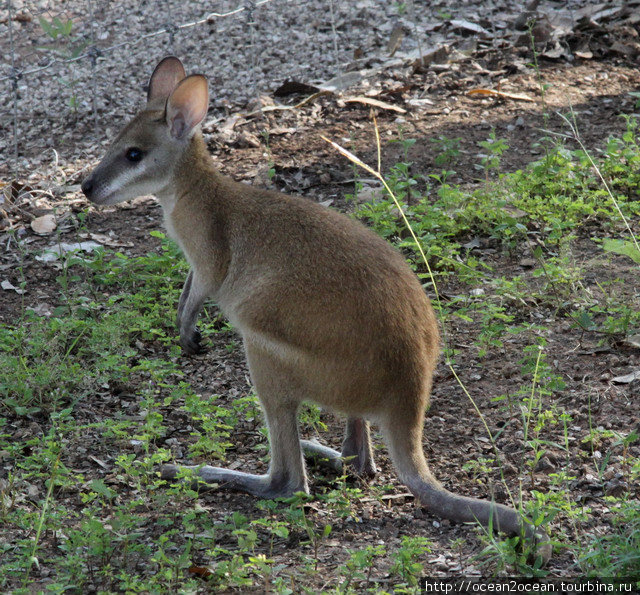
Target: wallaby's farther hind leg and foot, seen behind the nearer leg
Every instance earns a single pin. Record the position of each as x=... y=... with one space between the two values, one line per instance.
x=356 y=449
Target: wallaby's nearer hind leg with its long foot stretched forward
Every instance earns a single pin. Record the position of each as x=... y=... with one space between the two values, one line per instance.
x=286 y=471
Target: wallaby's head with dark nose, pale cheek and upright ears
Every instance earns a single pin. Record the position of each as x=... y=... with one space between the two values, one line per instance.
x=143 y=157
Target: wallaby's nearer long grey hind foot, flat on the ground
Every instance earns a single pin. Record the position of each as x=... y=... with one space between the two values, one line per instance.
x=267 y=486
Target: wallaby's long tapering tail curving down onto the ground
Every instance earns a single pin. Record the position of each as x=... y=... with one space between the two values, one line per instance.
x=405 y=447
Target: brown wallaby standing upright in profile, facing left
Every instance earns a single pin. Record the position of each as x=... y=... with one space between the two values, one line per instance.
x=328 y=311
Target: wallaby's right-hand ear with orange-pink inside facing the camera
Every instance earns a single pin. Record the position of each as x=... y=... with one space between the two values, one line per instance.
x=187 y=105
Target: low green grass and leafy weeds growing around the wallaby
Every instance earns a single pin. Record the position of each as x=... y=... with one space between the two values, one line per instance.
x=103 y=376
